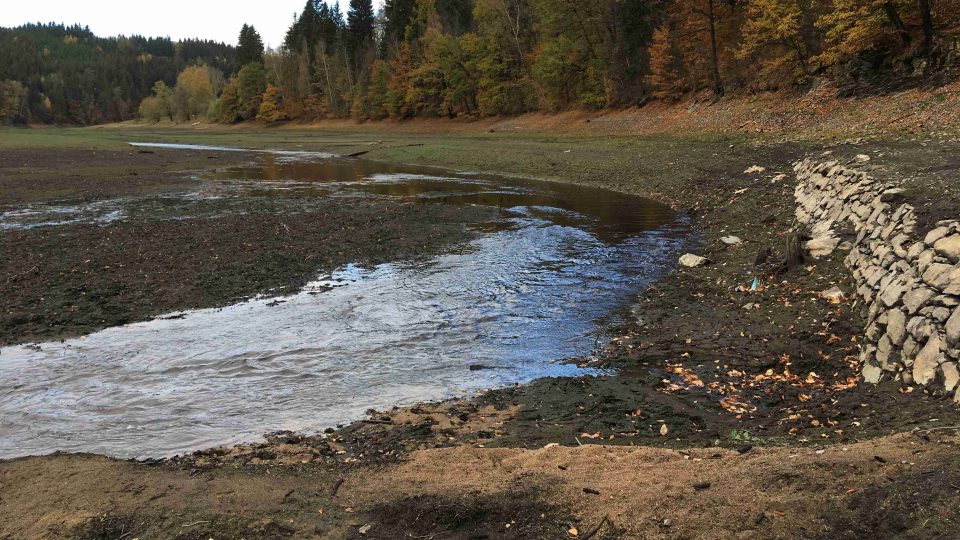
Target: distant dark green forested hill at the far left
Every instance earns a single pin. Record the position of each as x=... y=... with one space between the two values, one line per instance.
x=51 y=73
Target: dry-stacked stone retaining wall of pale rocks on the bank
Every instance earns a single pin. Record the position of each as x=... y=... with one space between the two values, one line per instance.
x=908 y=281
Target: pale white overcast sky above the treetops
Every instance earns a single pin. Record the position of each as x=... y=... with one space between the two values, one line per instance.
x=219 y=20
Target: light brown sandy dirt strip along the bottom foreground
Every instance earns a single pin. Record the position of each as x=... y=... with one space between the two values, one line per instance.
x=903 y=485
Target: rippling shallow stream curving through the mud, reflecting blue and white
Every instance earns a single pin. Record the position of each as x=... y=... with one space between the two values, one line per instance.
x=526 y=295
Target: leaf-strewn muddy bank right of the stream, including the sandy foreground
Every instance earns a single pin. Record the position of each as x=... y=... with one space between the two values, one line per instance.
x=754 y=395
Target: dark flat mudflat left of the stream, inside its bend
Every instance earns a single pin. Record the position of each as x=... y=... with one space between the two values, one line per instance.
x=180 y=248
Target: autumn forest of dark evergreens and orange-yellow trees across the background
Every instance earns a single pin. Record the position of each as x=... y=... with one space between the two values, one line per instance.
x=475 y=58
